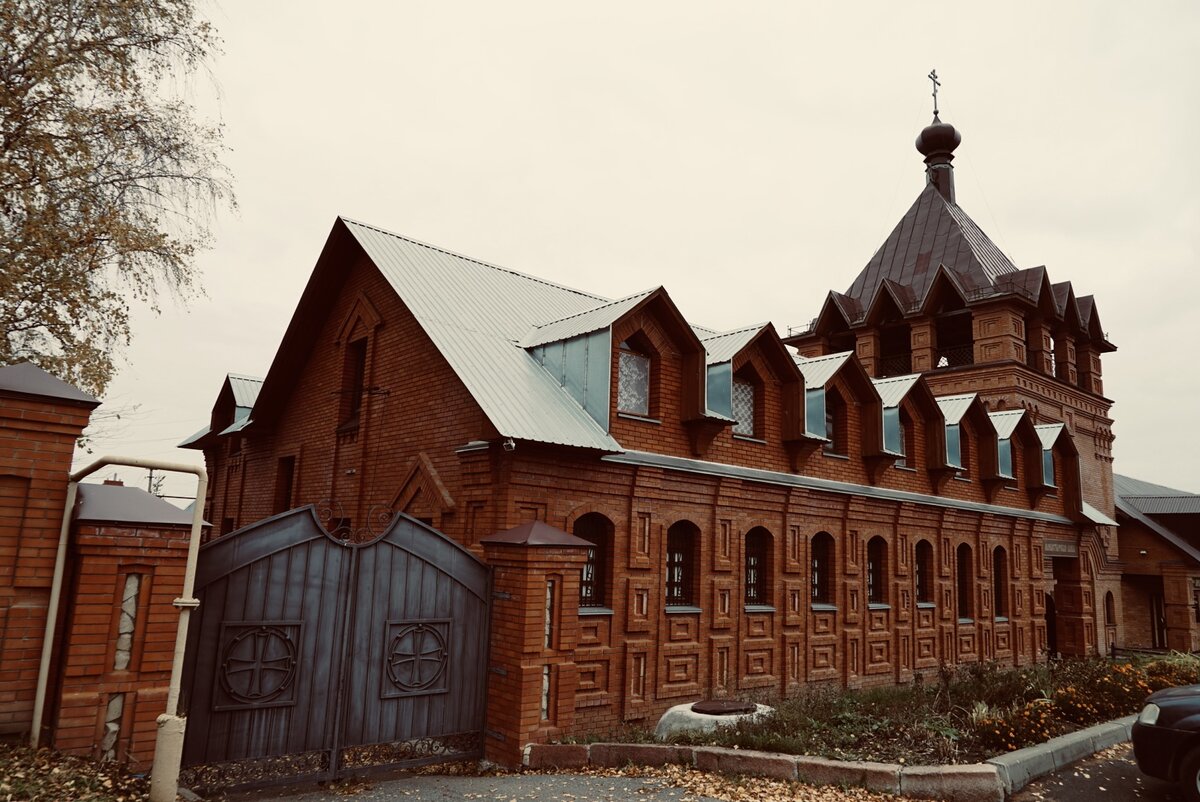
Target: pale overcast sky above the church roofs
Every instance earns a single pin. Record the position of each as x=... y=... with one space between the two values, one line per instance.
x=747 y=157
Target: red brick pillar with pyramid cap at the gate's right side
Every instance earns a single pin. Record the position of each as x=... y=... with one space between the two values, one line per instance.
x=532 y=673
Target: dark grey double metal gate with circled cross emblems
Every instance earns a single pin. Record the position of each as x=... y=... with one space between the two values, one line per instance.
x=313 y=659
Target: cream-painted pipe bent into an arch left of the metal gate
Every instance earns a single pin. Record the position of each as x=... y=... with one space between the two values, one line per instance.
x=170 y=743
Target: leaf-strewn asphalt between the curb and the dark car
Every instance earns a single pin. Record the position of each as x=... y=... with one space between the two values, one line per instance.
x=1109 y=776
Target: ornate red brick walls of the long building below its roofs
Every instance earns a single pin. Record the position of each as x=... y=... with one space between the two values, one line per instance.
x=416 y=448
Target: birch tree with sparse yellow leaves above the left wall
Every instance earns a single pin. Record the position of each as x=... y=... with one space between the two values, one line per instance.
x=107 y=188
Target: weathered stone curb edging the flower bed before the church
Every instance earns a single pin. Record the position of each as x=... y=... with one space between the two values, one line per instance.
x=988 y=782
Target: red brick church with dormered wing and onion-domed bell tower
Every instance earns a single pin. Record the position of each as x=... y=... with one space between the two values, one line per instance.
x=922 y=477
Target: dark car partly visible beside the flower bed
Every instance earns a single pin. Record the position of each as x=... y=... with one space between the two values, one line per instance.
x=1167 y=738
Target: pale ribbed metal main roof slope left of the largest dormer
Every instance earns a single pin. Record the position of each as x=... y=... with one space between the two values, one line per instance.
x=478 y=315
